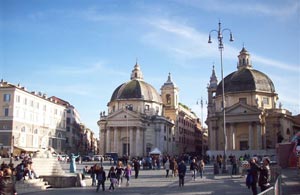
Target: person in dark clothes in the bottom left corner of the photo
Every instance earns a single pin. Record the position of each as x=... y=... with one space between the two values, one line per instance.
x=7 y=184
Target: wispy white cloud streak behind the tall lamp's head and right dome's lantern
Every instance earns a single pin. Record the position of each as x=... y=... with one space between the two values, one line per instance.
x=183 y=41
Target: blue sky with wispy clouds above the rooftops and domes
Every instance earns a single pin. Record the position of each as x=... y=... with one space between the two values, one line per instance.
x=81 y=51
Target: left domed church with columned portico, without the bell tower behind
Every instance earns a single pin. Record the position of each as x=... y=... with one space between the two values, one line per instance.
x=135 y=124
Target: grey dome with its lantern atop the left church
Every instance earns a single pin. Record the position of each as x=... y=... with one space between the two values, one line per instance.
x=136 y=88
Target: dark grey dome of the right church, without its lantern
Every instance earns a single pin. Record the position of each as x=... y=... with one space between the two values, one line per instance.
x=246 y=80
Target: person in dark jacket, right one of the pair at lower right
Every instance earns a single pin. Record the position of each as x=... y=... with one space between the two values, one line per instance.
x=265 y=175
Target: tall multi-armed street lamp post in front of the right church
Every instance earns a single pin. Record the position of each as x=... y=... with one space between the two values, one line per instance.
x=221 y=47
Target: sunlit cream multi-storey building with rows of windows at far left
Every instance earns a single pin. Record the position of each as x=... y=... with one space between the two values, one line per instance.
x=29 y=121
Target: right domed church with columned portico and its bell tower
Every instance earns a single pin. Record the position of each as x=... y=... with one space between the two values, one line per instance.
x=253 y=120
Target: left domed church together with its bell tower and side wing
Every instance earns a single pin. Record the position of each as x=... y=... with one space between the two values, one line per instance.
x=139 y=120
